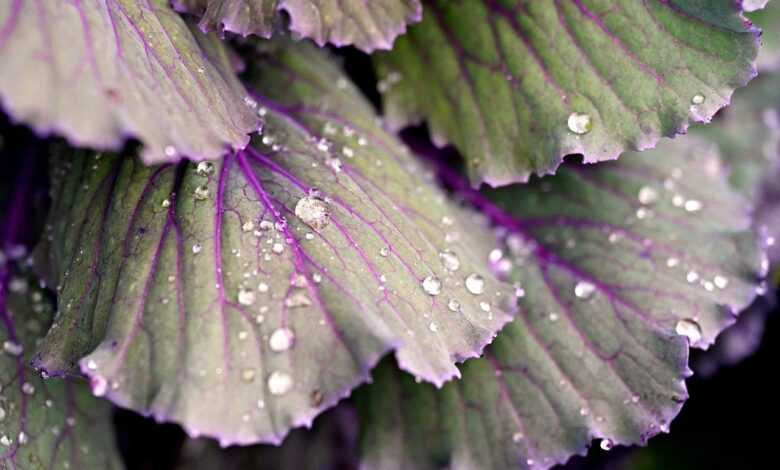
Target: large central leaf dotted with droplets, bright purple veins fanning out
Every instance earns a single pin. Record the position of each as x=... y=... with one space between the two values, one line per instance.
x=242 y=297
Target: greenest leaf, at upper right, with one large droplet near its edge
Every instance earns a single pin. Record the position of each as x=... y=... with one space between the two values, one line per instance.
x=516 y=86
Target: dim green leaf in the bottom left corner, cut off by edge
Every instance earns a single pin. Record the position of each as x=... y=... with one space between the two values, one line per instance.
x=53 y=423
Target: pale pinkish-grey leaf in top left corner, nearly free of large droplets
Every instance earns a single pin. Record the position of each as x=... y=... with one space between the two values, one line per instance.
x=100 y=71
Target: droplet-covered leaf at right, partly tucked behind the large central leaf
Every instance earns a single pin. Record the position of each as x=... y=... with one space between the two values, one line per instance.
x=620 y=266
